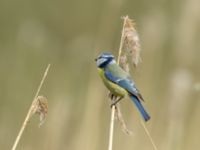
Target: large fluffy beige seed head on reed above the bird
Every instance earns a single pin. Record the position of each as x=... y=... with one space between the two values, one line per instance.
x=131 y=41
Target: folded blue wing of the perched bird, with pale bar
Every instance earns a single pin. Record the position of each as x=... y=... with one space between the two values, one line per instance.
x=126 y=83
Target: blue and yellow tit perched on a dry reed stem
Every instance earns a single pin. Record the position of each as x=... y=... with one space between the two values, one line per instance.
x=119 y=82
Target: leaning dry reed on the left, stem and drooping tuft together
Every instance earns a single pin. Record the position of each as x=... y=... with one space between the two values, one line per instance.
x=39 y=106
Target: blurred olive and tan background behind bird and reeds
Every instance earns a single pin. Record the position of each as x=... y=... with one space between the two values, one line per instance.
x=69 y=35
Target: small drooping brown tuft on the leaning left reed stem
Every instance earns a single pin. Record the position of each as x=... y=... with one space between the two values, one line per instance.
x=40 y=107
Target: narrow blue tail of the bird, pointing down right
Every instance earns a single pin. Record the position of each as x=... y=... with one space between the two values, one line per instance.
x=141 y=109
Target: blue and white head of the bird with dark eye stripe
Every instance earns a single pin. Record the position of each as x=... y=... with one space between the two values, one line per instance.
x=104 y=59
